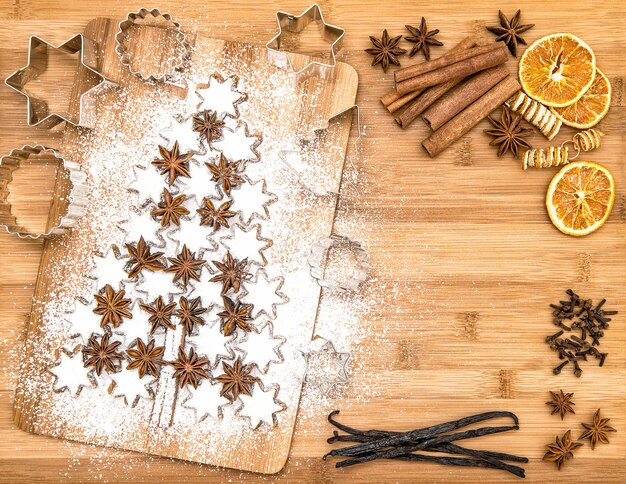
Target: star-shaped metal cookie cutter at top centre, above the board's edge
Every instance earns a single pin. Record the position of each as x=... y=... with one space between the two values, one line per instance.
x=291 y=23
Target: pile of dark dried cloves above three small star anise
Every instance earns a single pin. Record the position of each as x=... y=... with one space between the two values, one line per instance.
x=580 y=315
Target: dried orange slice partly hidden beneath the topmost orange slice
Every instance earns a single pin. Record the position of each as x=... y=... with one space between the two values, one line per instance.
x=590 y=108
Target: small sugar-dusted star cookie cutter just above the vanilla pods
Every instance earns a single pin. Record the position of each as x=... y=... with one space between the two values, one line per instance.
x=318 y=348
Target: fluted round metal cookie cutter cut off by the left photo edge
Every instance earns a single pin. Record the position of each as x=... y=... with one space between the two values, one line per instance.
x=77 y=204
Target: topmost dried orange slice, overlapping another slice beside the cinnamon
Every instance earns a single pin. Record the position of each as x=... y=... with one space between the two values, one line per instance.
x=557 y=69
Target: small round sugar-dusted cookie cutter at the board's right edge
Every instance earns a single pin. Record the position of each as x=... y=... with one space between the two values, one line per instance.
x=318 y=263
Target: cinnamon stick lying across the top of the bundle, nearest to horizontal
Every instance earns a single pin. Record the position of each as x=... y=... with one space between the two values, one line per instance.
x=453 y=71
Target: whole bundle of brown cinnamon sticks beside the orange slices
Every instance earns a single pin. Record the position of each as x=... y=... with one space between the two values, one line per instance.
x=452 y=93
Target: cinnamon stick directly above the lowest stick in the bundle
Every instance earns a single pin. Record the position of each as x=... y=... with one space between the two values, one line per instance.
x=444 y=109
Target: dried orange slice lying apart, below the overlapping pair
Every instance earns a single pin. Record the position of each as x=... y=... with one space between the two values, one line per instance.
x=580 y=198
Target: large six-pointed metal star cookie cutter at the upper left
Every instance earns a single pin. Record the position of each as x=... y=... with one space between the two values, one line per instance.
x=38 y=111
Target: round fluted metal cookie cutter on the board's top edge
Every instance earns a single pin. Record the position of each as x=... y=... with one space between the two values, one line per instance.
x=152 y=18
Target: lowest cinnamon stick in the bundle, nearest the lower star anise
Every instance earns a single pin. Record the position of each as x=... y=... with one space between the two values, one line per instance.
x=470 y=116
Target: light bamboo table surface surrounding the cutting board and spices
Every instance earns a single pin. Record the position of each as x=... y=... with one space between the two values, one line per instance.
x=461 y=244
